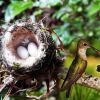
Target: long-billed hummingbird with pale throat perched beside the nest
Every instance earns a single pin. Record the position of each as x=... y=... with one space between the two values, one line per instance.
x=78 y=66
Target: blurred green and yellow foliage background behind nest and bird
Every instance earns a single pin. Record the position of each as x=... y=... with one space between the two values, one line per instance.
x=70 y=19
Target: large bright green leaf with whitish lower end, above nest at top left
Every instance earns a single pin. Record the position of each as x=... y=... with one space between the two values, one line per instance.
x=16 y=8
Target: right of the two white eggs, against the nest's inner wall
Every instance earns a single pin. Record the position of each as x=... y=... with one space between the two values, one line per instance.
x=32 y=49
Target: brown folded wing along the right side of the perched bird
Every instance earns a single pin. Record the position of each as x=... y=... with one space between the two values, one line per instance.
x=77 y=75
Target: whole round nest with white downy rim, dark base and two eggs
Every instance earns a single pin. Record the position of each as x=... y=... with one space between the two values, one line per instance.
x=30 y=55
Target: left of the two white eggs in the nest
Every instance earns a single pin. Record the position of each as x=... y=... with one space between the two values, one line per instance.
x=22 y=52
